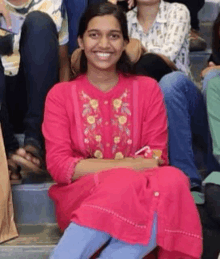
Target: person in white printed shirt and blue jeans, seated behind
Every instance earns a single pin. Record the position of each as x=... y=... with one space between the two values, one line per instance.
x=163 y=30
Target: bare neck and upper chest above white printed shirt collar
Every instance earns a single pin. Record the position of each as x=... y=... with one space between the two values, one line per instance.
x=146 y=14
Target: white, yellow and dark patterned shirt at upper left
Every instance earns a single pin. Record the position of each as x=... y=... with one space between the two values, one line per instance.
x=54 y=9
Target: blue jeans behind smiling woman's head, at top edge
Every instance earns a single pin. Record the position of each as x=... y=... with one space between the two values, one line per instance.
x=75 y=9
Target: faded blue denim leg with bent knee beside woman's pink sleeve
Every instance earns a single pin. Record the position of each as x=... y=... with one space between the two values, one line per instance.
x=181 y=99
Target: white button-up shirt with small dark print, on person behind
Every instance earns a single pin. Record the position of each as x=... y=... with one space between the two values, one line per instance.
x=169 y=34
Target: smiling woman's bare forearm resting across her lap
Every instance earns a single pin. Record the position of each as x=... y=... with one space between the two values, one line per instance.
x=93 y=165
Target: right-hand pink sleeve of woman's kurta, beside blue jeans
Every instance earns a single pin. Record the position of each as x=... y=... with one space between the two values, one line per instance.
x=154 y=126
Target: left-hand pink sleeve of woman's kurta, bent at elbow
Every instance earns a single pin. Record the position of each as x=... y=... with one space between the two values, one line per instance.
x=61 y=157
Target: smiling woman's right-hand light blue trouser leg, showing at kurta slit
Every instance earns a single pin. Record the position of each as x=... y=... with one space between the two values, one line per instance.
x=117 y=249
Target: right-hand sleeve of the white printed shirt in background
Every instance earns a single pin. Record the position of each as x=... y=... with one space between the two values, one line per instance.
x=177 y=30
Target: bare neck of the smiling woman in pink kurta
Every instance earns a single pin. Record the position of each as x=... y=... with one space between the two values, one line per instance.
x=103 y=80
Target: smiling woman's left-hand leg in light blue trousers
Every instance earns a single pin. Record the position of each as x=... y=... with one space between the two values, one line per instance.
x=79 y=243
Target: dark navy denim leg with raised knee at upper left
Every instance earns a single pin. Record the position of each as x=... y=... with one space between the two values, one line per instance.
x=40 y=60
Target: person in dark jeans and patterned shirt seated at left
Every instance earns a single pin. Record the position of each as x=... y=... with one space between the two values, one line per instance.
x=32 y=60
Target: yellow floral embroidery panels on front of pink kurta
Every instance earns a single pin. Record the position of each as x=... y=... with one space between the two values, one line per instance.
x=93 y=124
